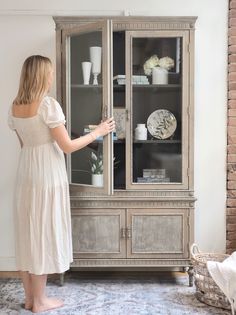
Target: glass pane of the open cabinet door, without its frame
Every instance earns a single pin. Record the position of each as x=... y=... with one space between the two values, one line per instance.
x=86 y=105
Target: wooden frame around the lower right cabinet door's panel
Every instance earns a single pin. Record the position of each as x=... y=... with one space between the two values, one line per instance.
x=186 y=233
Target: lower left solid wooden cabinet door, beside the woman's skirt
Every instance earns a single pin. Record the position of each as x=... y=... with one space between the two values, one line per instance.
x=98 y=233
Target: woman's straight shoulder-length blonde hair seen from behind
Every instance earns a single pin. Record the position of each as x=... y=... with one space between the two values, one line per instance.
x=33 y=80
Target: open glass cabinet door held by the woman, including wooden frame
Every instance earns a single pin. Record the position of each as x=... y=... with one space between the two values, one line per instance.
x=87 y=102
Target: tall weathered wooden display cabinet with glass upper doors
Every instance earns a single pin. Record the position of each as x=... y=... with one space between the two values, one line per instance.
x=141 y=213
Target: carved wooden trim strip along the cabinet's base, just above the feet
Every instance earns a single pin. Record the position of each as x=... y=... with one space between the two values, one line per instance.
x=130 y=262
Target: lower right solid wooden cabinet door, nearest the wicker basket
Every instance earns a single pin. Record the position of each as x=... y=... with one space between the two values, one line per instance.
x=157 y=233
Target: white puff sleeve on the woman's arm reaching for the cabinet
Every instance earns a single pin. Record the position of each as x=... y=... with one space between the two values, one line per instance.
x=52 y=113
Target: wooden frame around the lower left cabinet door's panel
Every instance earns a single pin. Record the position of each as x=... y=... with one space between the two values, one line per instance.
x=103 y=212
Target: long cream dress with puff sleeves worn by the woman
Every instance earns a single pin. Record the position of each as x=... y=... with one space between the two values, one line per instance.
x=42 y=205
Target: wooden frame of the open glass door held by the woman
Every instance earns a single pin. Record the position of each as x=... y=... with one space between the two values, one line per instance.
x=106 y=28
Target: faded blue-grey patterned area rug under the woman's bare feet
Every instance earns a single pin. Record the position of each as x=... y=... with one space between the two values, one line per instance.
x=112 y=297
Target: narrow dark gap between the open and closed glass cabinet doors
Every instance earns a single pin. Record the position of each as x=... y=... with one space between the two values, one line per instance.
x=119 y=108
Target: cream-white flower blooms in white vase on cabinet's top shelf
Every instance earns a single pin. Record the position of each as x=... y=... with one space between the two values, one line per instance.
x=165 y=62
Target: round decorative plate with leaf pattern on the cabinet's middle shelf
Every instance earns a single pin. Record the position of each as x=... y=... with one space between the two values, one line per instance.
x=161 y=124
